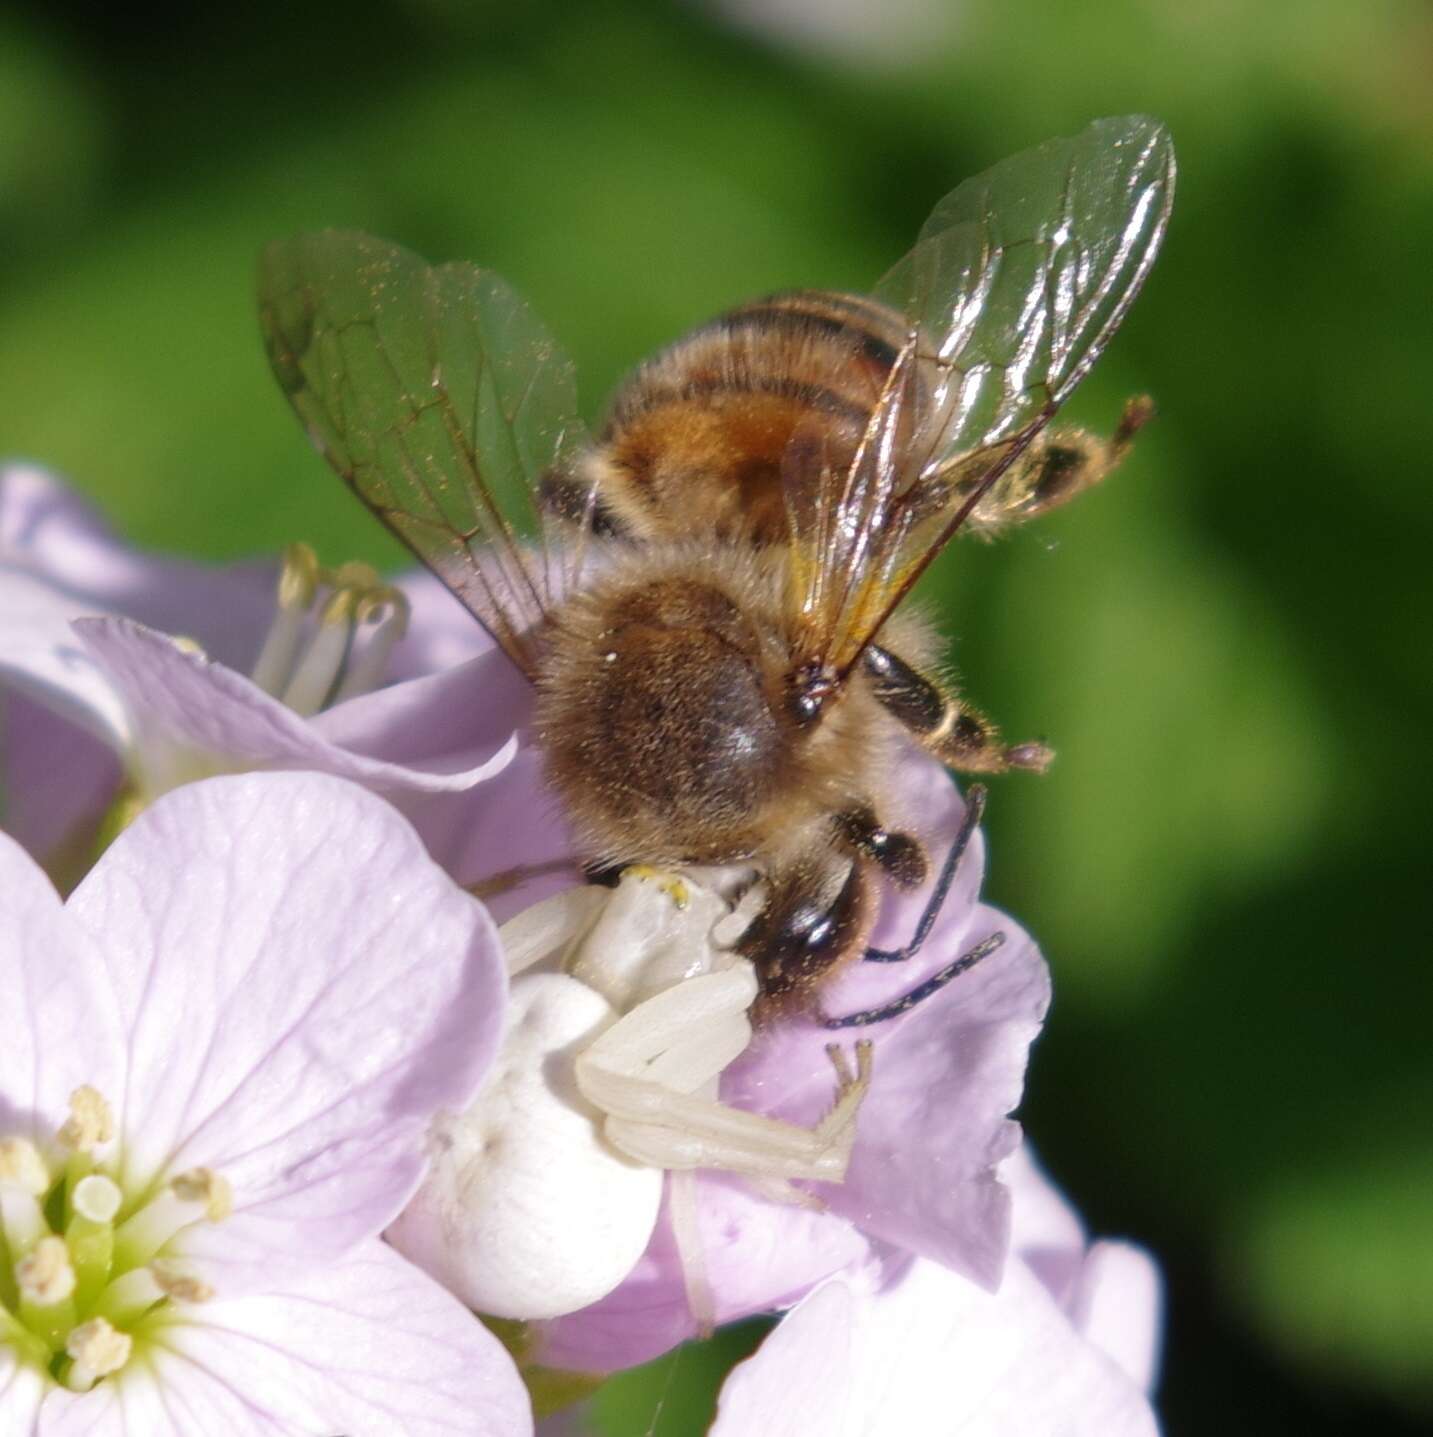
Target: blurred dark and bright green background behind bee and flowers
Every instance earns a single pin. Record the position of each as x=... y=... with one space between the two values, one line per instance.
x=1228 y=644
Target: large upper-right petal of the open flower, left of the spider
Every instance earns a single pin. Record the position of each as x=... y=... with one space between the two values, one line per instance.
x=303 y=989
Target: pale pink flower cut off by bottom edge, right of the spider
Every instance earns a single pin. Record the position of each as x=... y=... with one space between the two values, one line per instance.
x=916 y=1351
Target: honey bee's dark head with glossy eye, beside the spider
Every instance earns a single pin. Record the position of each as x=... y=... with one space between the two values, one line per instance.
x=803 y=933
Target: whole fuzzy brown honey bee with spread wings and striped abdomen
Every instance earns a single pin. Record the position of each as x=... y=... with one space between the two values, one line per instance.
x=708 y=597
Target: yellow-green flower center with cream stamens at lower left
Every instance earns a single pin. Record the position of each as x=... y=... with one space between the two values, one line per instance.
x=84 y=1272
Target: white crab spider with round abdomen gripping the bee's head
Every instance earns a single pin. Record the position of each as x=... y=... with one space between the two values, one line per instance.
x=625 y=1009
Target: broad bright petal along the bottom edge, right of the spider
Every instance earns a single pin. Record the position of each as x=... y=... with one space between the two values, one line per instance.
x=938 y=1356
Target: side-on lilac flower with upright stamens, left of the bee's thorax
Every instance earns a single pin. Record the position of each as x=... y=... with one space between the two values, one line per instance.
x=98 y=688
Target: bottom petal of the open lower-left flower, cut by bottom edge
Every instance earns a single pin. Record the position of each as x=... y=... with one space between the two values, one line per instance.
x=367 y=1349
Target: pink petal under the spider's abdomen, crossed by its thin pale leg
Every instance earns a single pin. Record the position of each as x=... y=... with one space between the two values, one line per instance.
x=758 y=1257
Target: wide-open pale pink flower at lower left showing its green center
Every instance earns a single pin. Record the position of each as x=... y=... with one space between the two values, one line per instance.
x=222 y=1057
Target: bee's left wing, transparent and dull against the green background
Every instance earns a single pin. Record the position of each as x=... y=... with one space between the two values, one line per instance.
x=441 y=399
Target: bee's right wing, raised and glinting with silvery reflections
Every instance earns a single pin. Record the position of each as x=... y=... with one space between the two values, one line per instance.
x=1015 y=285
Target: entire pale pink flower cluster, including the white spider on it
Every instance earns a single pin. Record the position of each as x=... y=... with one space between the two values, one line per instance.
x=272 y=1022
